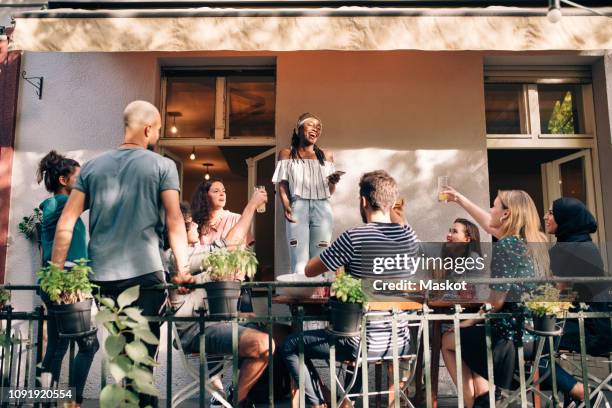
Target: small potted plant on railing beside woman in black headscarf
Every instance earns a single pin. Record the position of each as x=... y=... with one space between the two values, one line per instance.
x=545 y=306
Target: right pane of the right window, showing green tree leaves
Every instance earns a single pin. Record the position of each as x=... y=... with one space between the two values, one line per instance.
x=560 y=109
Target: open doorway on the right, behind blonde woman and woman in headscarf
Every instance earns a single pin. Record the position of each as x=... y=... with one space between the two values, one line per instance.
x=546 y=174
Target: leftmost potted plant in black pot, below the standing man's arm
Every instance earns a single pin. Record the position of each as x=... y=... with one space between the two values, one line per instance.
x=70 y=291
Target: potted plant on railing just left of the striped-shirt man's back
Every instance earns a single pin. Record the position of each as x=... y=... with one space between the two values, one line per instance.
x=347 y=303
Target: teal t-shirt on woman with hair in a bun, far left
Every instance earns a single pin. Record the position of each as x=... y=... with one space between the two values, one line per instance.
x=51 y=211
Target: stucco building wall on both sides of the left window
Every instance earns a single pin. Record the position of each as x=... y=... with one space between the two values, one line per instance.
x=416 y=114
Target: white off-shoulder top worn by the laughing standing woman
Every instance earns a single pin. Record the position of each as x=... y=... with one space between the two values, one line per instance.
x=307 y=177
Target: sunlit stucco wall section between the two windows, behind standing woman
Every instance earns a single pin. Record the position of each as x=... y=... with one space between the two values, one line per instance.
x=417 y=115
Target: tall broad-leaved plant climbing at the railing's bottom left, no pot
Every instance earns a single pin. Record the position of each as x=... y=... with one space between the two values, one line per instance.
x=129 y=362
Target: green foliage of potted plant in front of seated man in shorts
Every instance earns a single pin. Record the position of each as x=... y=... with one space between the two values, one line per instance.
x=230 y=264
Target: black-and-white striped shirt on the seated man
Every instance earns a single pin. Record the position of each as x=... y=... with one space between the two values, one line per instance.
x=355 y=249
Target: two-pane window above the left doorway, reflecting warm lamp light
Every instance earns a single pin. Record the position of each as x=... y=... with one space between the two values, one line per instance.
x=220 y=105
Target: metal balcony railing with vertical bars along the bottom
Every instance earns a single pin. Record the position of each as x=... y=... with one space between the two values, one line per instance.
x=21 y=352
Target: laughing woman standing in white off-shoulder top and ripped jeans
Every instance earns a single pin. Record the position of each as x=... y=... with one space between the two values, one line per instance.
x=306 y=179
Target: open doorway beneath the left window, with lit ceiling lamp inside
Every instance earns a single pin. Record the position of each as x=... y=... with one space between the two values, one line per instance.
x=240 y=168
